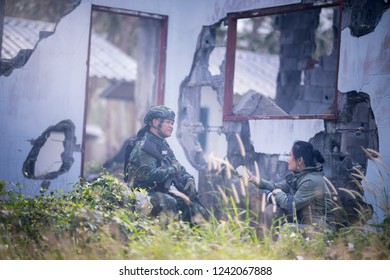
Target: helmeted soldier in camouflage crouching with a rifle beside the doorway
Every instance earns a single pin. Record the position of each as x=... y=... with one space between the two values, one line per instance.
x=152 y=166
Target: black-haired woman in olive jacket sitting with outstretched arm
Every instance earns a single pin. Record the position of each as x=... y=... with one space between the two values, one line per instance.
x=303 y=196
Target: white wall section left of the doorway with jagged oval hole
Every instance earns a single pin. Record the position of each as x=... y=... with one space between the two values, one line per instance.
x=49 y=89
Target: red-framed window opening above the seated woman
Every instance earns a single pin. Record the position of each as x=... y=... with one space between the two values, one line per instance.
x=292 y=53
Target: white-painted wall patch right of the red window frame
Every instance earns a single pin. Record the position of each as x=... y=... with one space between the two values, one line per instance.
x=365 y=66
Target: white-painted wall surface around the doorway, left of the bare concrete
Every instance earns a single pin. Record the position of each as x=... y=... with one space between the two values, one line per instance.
x=51 y=85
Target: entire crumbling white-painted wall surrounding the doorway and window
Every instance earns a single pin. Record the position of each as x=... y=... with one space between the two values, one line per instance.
x=50 y=88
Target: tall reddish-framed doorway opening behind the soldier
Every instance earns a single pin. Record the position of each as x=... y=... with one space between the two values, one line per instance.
x=125 y=78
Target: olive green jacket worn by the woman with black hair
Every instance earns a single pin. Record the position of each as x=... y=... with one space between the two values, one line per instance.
x=304 y=194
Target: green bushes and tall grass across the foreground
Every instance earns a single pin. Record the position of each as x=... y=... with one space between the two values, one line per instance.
x=99 y=220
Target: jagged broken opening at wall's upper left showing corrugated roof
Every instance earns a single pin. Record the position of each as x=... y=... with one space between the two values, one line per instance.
x=23 y=23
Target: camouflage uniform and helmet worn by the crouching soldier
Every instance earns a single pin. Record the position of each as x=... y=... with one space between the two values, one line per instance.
x=147 y=172
